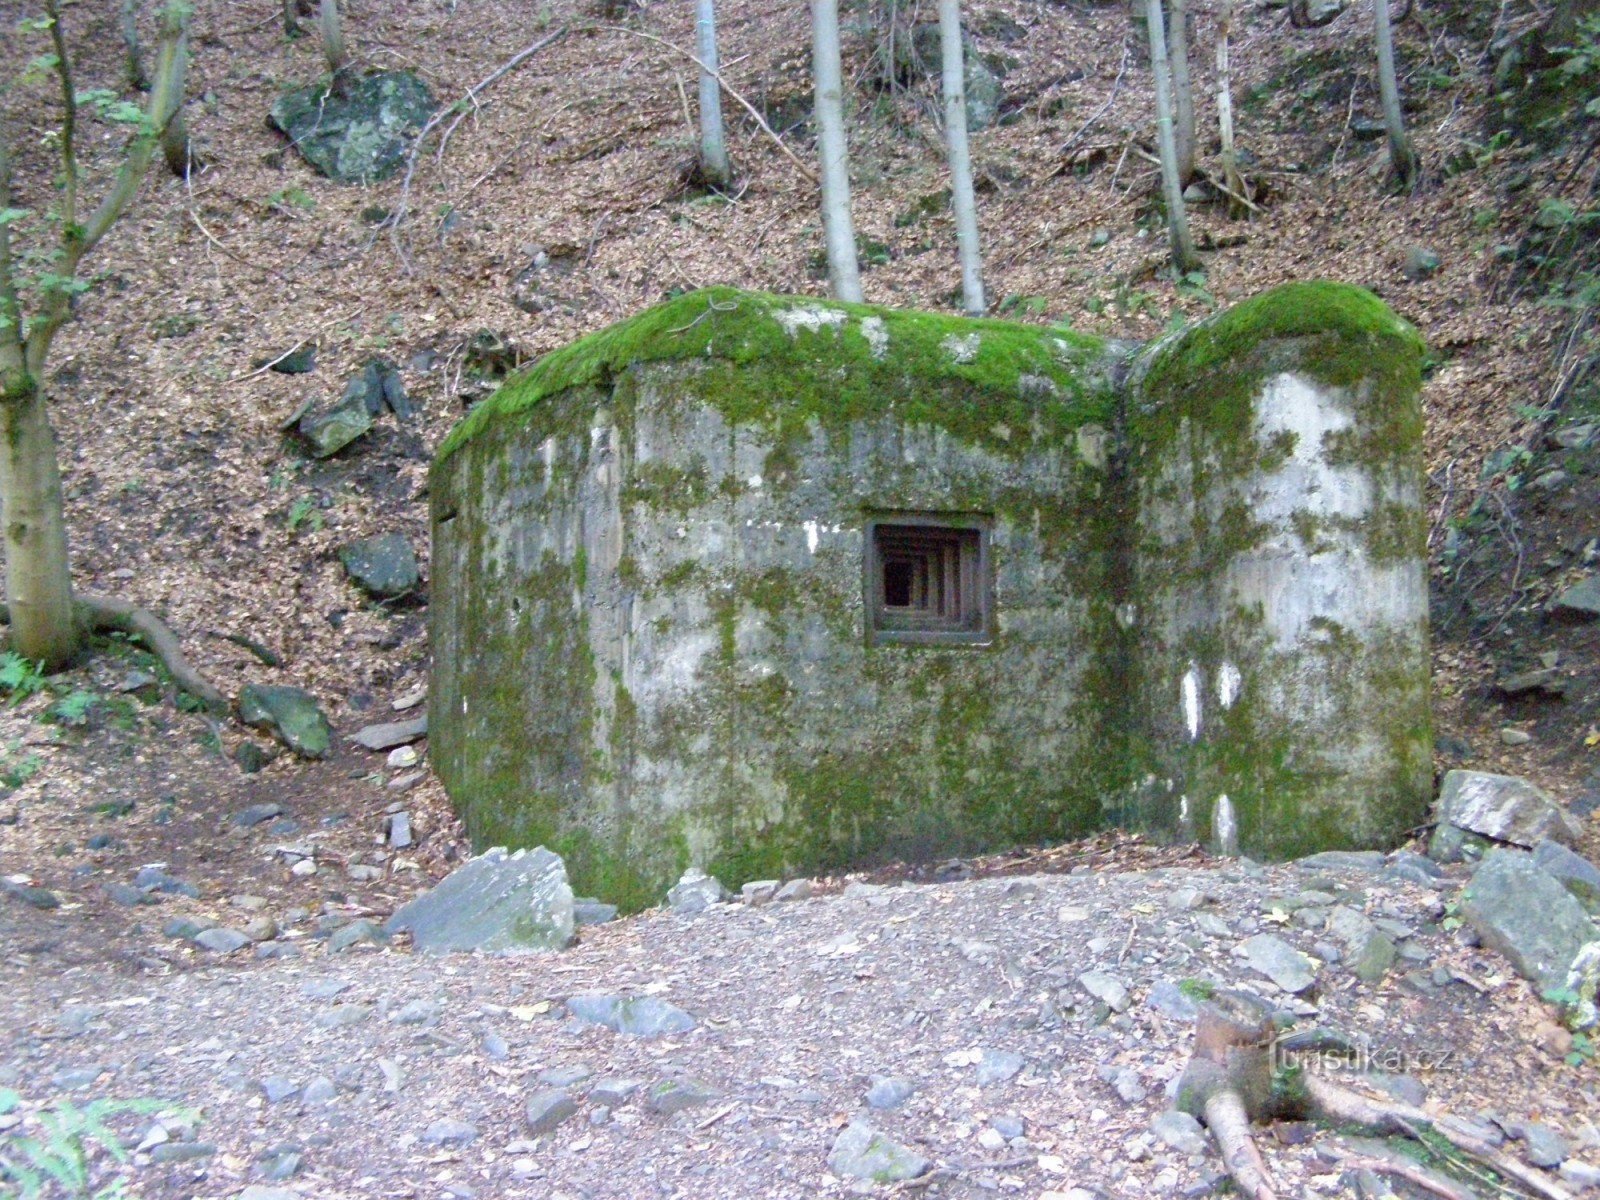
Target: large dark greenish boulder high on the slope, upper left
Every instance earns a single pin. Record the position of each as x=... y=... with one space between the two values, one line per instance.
x=359 y=129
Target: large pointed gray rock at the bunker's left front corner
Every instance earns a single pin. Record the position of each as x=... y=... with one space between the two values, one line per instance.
x=497 y=903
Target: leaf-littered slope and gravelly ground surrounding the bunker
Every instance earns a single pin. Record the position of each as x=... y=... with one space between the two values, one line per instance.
x=185 y=495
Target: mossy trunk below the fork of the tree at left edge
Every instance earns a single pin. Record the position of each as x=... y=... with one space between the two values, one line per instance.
x=38 y=582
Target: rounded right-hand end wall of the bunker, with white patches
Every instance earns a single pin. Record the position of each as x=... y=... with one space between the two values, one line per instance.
x=1278 y=590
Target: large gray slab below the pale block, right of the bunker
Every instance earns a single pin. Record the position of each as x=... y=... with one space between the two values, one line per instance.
x=1527 y=916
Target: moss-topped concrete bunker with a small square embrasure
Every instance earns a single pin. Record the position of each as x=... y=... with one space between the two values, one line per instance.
x=777 y=585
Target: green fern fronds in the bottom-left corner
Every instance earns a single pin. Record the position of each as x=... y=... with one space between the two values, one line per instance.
x=55 y=1150
